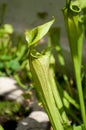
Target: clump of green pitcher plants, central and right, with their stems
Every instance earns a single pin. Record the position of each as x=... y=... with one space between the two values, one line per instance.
x=58 y=101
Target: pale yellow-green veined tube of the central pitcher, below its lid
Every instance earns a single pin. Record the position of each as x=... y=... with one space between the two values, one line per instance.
x=40 y=71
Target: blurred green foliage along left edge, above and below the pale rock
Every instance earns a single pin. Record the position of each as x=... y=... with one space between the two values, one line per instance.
x=14 y=64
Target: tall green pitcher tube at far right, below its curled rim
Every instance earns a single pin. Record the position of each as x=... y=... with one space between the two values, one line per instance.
x=75 y=31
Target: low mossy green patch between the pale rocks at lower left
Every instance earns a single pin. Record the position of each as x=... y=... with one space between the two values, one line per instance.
x=12 y=110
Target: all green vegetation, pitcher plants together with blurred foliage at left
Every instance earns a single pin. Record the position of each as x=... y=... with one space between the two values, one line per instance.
x=64 y=102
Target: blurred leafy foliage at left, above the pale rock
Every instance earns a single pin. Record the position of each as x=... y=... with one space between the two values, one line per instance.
x=13 y=55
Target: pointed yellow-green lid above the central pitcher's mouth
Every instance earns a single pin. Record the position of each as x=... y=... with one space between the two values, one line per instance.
x=37 y=33
